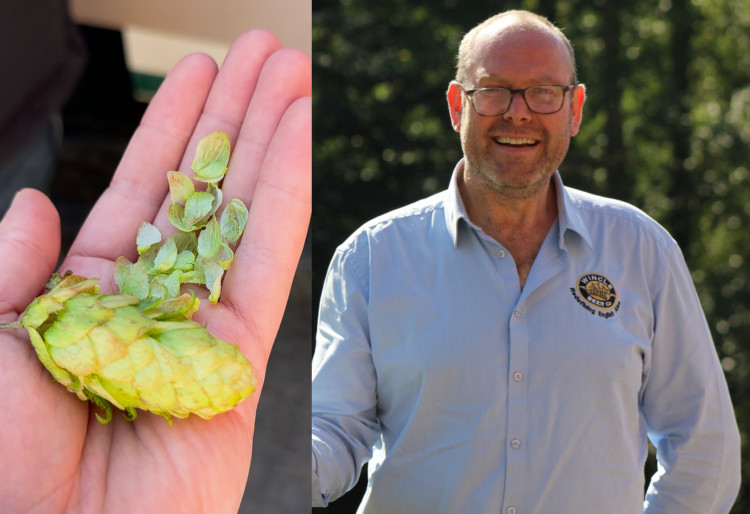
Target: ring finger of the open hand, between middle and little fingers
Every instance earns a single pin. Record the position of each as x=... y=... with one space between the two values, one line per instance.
x=286 y=77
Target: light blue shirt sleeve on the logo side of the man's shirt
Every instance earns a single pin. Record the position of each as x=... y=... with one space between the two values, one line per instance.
x=687 y=406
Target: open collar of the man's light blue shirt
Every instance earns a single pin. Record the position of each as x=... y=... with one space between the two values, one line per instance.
x=568 y=215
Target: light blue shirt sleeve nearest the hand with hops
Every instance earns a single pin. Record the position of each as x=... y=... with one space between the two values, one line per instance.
x=344 y=421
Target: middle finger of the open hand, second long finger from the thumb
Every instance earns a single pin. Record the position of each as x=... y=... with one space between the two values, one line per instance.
x=229 y=98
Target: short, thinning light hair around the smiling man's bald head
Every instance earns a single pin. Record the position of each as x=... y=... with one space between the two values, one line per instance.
x=521 y=19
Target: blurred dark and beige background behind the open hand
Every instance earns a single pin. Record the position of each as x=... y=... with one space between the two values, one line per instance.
x=77 y=77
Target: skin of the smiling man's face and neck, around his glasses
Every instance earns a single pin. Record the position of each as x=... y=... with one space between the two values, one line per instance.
x=507 y=189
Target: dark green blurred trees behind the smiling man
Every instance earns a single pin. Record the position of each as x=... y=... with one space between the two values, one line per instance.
x=666 y=127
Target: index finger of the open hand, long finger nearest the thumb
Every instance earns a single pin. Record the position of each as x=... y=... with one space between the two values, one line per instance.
x=139 y=185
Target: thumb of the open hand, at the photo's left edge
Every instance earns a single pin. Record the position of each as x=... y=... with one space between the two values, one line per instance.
x=29 y=248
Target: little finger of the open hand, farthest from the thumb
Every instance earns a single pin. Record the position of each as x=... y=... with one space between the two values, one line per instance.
x=258 y=283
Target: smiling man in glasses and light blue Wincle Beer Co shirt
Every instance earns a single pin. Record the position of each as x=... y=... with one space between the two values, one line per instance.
x=510 y=344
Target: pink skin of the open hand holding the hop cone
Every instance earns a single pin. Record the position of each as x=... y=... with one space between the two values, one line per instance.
x=57 y=457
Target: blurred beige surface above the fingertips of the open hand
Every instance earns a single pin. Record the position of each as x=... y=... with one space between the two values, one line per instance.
x=157 y=33
